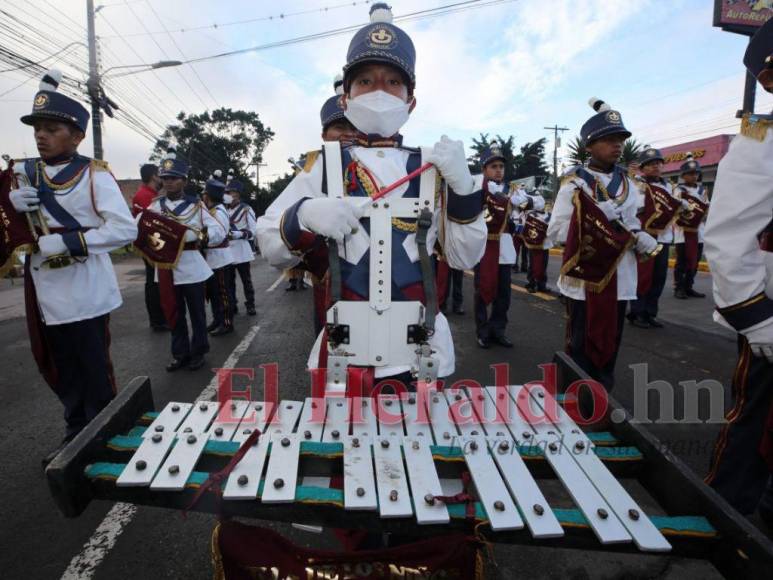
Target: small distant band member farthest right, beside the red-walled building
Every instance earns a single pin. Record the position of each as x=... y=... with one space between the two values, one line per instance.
x=688 y=236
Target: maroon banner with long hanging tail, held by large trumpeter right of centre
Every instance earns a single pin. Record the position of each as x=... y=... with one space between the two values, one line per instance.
x=594 y=247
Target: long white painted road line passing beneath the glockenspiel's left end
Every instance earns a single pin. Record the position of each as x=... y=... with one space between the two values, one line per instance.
x=84 y=565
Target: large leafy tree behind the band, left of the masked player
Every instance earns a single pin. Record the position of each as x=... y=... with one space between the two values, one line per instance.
x=221 y=139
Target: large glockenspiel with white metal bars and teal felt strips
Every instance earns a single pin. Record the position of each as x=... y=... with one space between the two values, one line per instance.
x=507 y=460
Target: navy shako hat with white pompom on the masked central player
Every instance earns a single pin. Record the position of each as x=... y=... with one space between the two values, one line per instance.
x=381 y=42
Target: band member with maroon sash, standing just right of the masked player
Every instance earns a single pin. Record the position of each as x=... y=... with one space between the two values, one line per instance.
x=492 y=274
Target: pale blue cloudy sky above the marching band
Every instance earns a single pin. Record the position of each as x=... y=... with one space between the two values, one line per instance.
x=508 y=69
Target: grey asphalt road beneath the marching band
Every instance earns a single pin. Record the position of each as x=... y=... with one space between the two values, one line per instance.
x=38 y=543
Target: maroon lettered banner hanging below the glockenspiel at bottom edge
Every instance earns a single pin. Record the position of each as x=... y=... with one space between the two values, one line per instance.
x=246 y=552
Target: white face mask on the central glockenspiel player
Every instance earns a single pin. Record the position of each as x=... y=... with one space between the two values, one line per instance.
x=377 y=113
